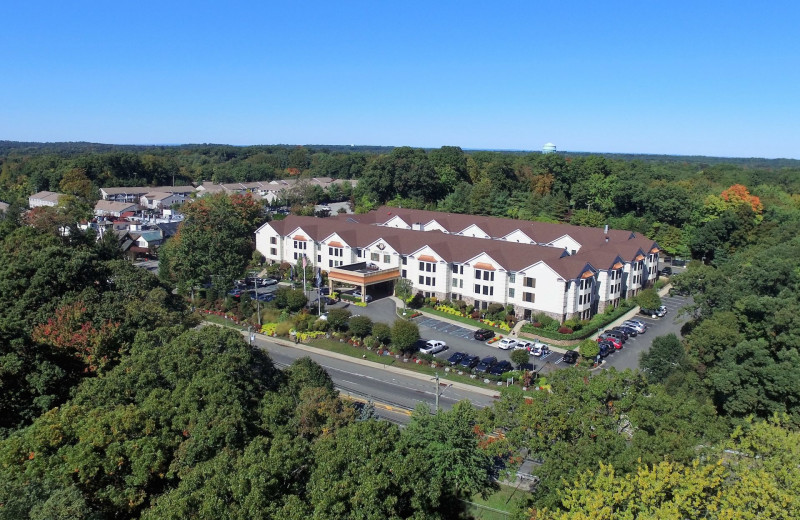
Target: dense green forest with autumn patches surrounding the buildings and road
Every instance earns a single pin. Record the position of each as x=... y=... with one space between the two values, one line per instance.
x=113 y=404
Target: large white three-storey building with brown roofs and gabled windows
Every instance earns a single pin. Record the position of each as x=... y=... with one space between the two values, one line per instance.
x=564 y=271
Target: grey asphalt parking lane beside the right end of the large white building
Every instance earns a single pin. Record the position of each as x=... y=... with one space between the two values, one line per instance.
x=628 y=356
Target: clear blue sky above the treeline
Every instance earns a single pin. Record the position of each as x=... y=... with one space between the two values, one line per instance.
x=647 y=76
